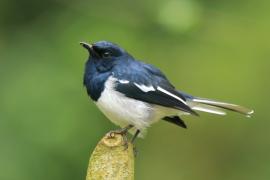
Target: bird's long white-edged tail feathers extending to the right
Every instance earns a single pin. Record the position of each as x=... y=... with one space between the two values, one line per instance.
x=217 y=107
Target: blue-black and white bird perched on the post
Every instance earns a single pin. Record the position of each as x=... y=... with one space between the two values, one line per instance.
x=134 y=95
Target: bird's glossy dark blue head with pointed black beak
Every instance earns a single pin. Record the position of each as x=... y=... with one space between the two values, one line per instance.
x=105 y=54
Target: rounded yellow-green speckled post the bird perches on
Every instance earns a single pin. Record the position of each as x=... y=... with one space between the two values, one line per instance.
x=112 y=159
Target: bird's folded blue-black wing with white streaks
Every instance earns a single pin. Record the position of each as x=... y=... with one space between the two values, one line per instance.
x=150 y=85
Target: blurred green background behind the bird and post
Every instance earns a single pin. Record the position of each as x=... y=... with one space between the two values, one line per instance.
x=215 y=49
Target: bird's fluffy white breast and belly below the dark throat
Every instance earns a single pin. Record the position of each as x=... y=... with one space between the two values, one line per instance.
x=122 y=110
